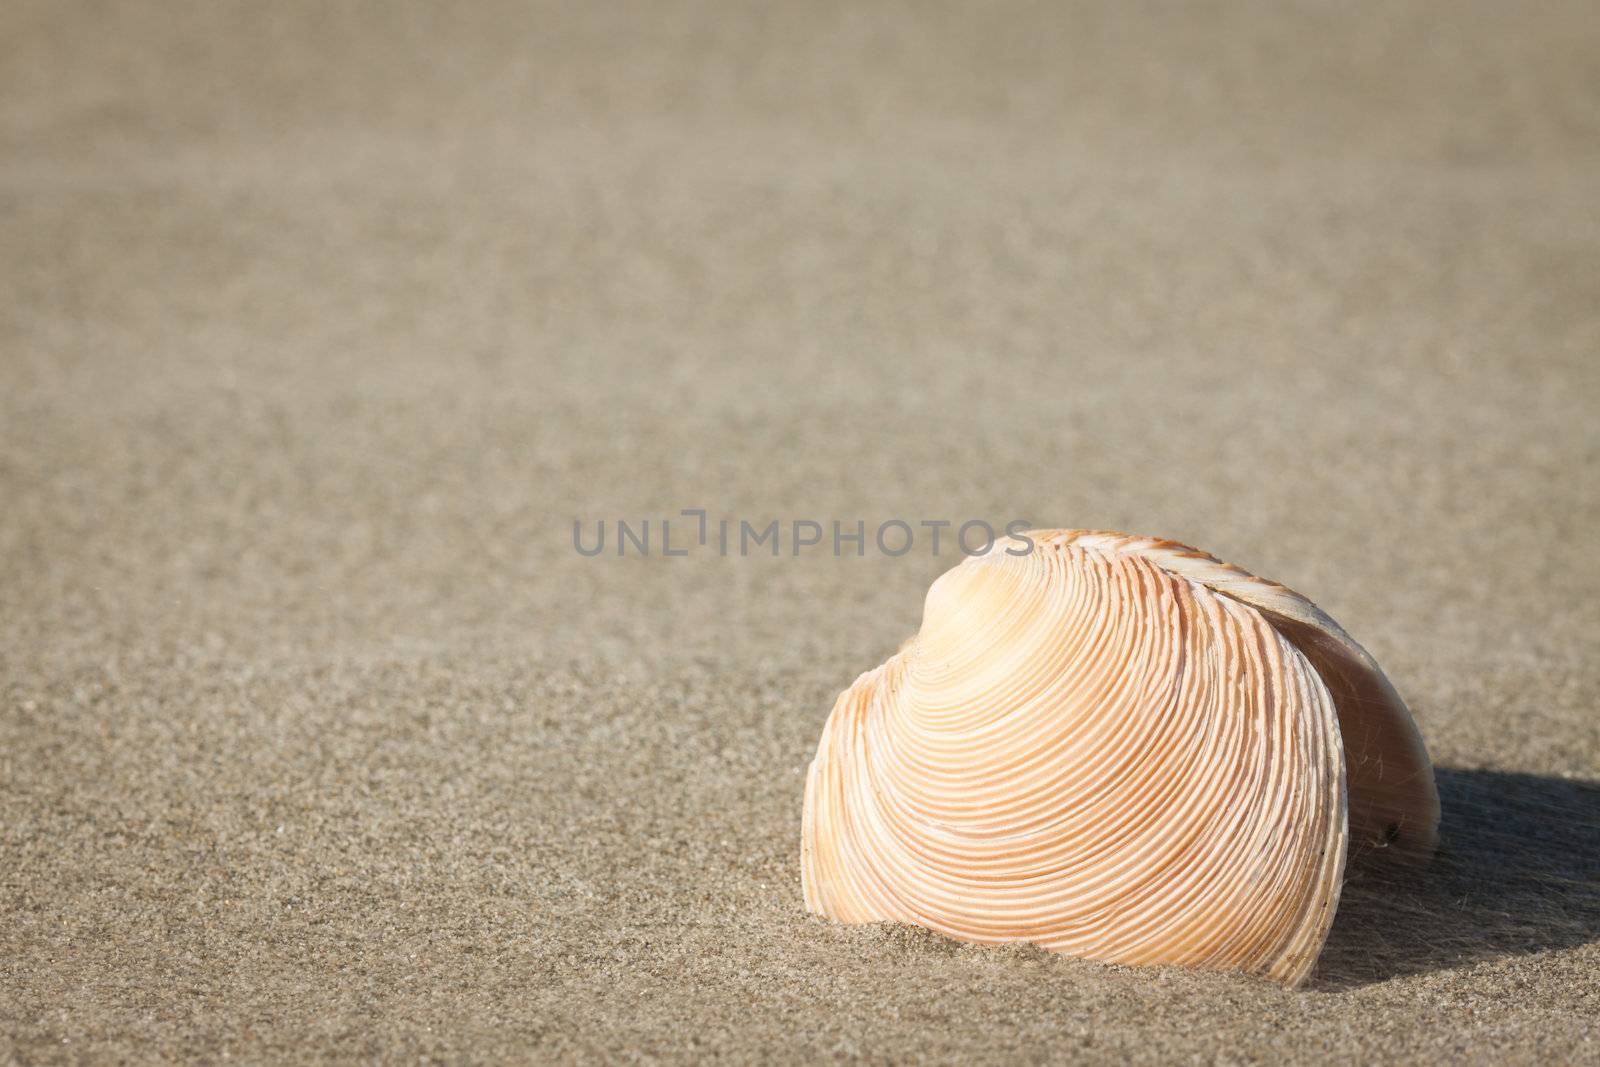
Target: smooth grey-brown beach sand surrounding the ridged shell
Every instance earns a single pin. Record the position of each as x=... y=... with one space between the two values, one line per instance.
x=321 y=326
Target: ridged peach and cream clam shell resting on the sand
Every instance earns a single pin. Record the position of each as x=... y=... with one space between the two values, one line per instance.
x=1122 y=749
